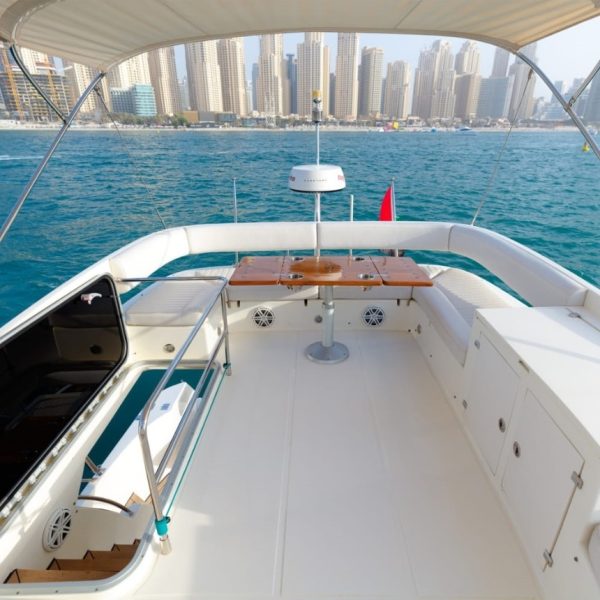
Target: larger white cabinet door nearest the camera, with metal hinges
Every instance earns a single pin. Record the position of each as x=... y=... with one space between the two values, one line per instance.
x=538 y=478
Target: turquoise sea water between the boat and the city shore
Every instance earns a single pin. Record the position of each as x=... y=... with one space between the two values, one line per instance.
x=103 y=189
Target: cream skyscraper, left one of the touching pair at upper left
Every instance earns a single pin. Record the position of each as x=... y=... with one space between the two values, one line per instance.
x=204 y=77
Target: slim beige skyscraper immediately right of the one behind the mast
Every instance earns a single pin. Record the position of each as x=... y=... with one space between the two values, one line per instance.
x=346 y=77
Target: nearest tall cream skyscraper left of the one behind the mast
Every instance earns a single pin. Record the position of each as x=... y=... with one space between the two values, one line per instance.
x=269 y=95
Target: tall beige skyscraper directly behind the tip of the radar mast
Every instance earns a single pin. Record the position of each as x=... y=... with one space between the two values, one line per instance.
x=312 y=73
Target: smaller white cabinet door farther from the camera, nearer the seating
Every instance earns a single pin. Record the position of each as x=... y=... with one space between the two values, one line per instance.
x=490 y=401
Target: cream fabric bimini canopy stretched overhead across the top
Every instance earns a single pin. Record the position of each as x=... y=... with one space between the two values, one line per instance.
x=102 y=33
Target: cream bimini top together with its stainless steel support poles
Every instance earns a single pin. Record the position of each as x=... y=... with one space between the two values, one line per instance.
x=500 y=22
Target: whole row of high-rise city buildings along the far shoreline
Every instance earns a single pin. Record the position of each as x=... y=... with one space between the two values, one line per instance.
x=447 y=80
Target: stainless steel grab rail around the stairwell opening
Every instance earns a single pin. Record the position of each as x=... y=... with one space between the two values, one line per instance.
x=160 y=520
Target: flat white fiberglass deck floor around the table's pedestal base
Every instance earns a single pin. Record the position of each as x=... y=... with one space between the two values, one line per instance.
x=337 y=481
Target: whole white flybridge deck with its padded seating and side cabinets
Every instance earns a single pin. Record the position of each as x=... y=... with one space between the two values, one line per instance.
x=413 y=469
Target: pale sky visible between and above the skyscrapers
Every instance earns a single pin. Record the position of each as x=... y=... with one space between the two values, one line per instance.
x=563 y=56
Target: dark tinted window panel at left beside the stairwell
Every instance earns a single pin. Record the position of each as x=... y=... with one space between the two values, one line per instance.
x=50 y=371
